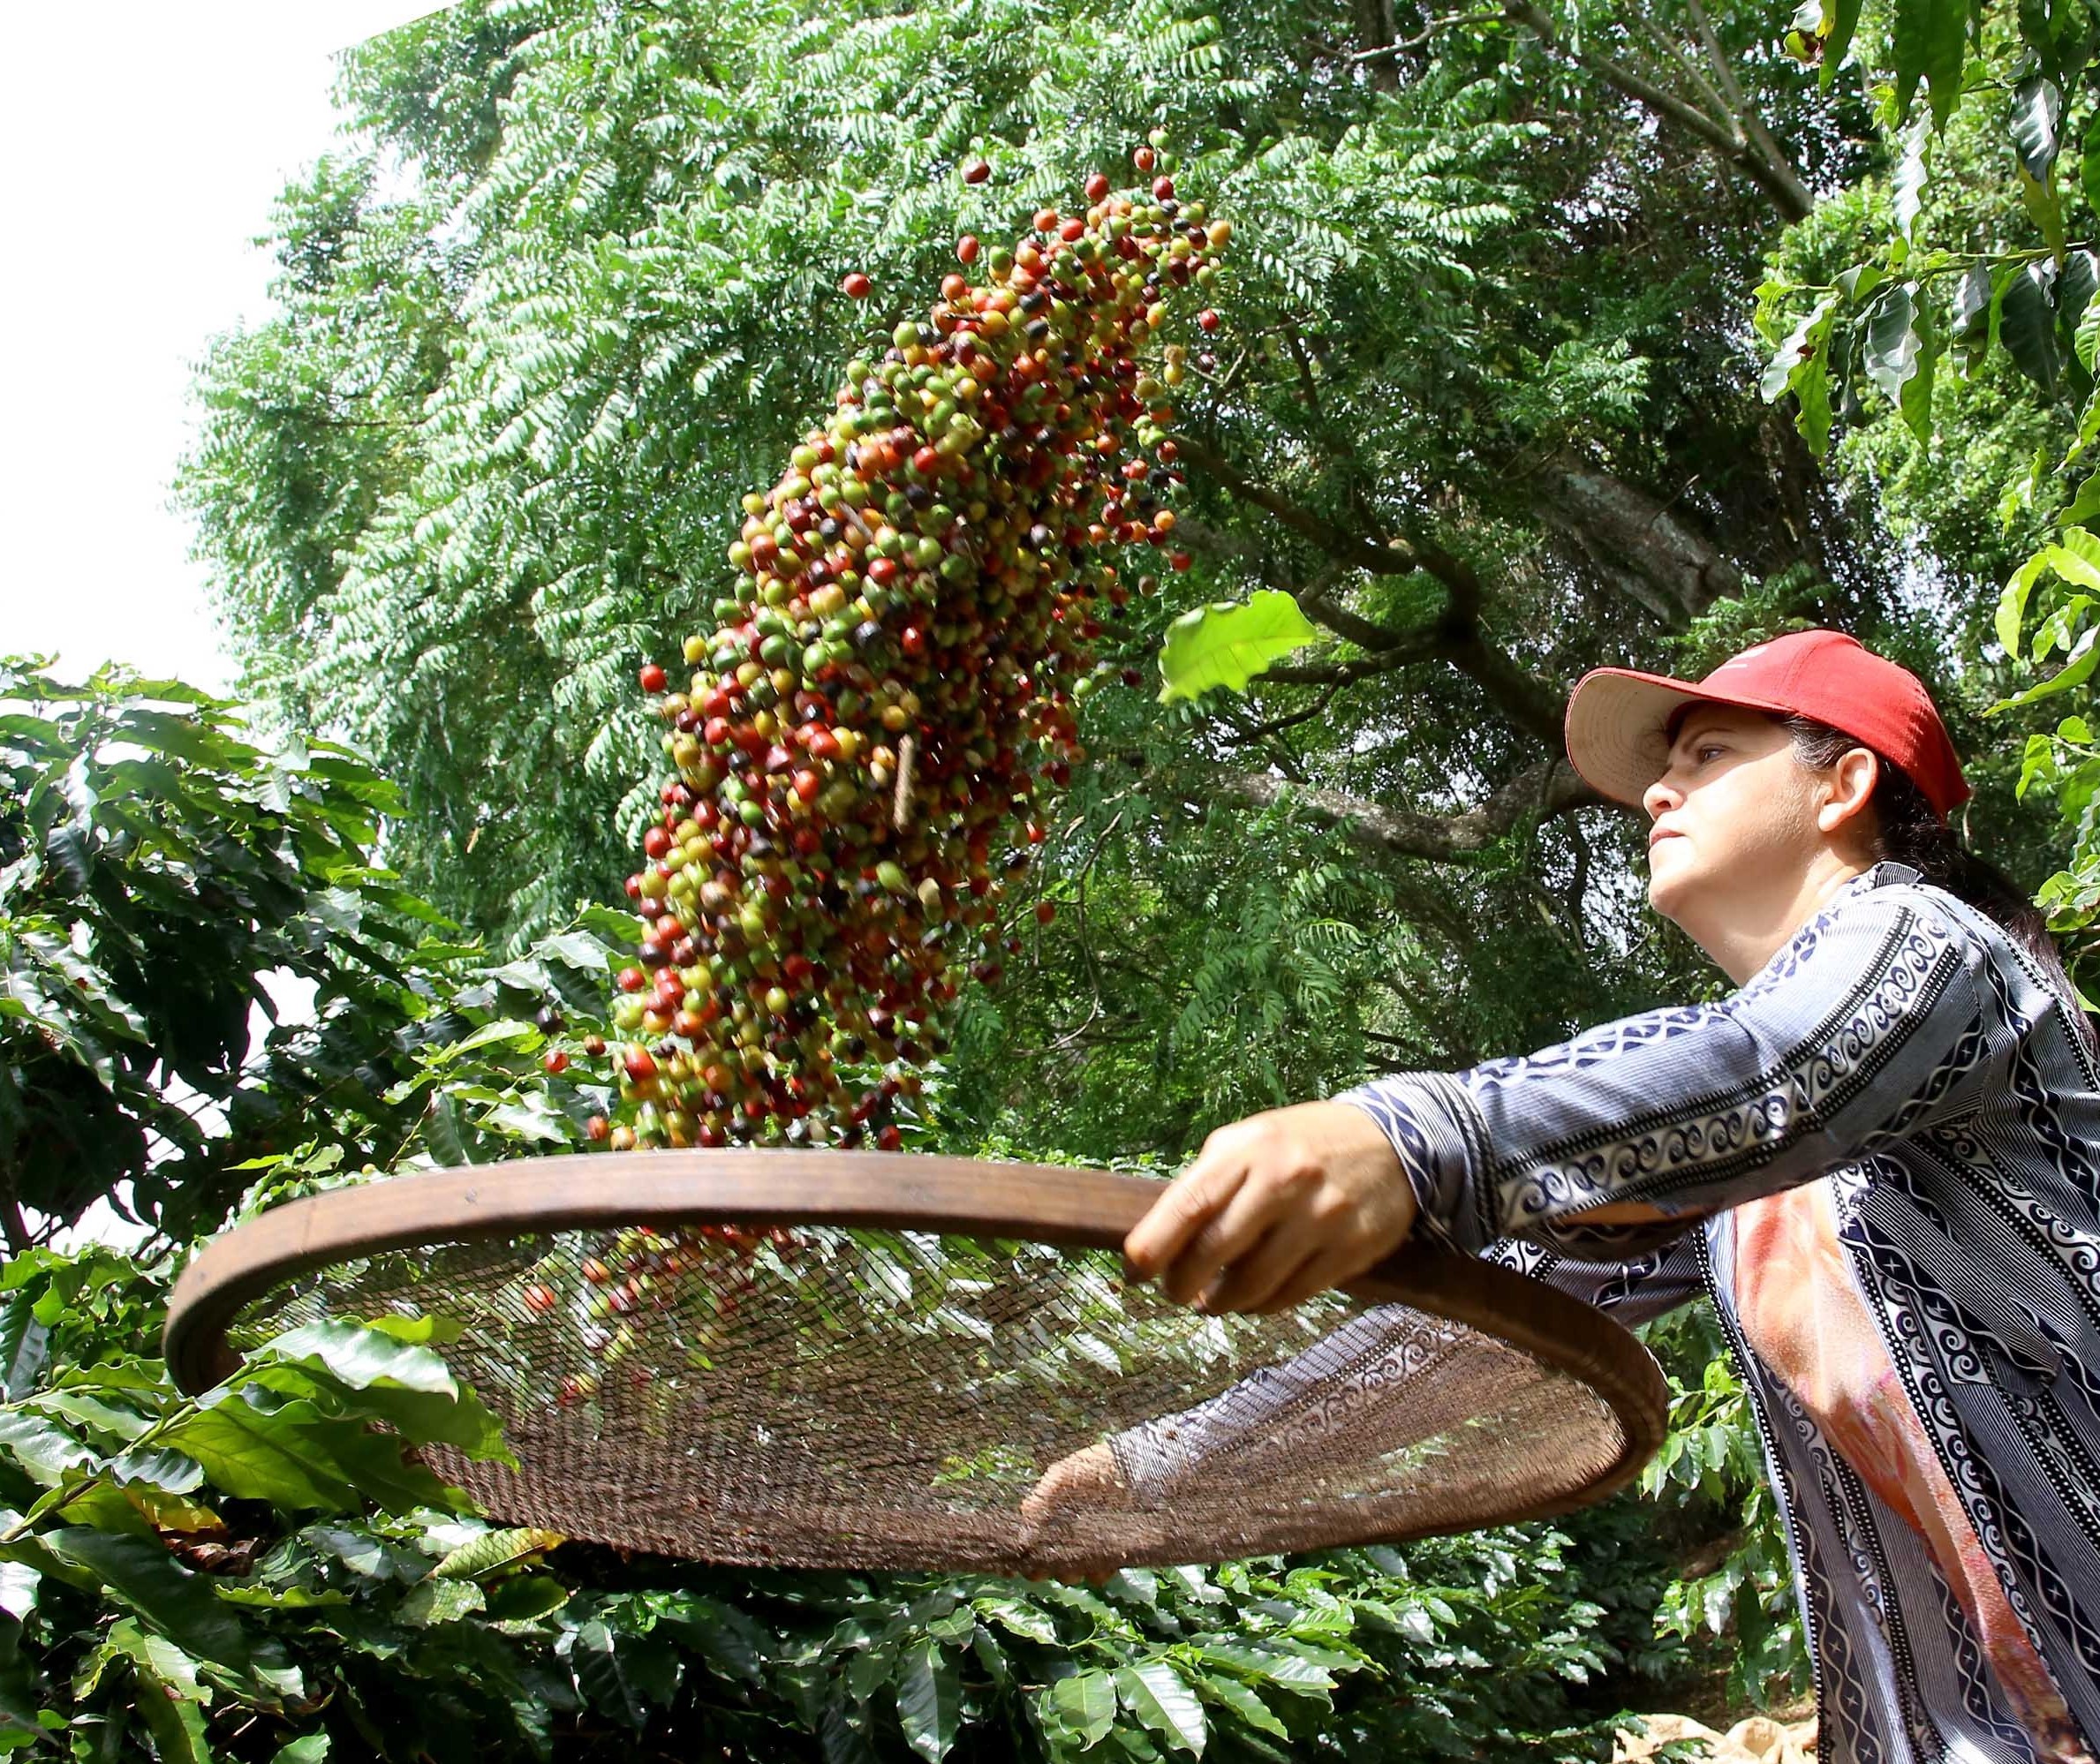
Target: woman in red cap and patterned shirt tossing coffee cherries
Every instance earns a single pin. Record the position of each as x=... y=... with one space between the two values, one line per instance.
x=1881 y=1156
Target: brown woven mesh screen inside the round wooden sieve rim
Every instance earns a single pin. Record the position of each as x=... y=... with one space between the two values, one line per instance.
x=833 y=1398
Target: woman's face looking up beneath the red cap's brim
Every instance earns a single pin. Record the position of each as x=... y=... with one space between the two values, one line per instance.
x=1731 y=820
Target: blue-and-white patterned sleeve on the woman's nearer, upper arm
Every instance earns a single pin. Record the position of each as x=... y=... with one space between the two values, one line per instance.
x=1855 y=1034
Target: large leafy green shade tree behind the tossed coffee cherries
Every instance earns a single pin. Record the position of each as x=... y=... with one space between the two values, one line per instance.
x=1486 y=404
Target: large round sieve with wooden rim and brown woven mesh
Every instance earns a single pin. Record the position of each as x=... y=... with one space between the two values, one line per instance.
x=887 y=1362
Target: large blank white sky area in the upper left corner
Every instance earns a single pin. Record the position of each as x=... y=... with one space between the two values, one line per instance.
x=161 y=140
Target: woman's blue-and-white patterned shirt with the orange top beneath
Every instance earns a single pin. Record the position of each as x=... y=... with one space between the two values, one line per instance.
x=1883 y=1162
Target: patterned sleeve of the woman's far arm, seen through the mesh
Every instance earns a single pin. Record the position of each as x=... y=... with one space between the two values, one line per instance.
x=1374 y=1377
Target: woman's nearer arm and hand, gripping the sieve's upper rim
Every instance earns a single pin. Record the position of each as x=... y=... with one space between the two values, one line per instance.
x=1855 y=1034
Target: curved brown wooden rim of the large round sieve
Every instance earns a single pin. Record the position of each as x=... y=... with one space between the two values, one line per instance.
x=894 y=1192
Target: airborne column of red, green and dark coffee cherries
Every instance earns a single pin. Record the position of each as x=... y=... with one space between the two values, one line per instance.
x=887 y=694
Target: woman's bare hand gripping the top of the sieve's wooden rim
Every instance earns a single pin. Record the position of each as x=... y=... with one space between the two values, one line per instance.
x=1276 y=1211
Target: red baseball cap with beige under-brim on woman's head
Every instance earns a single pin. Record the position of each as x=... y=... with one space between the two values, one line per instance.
x=1618 y=719
